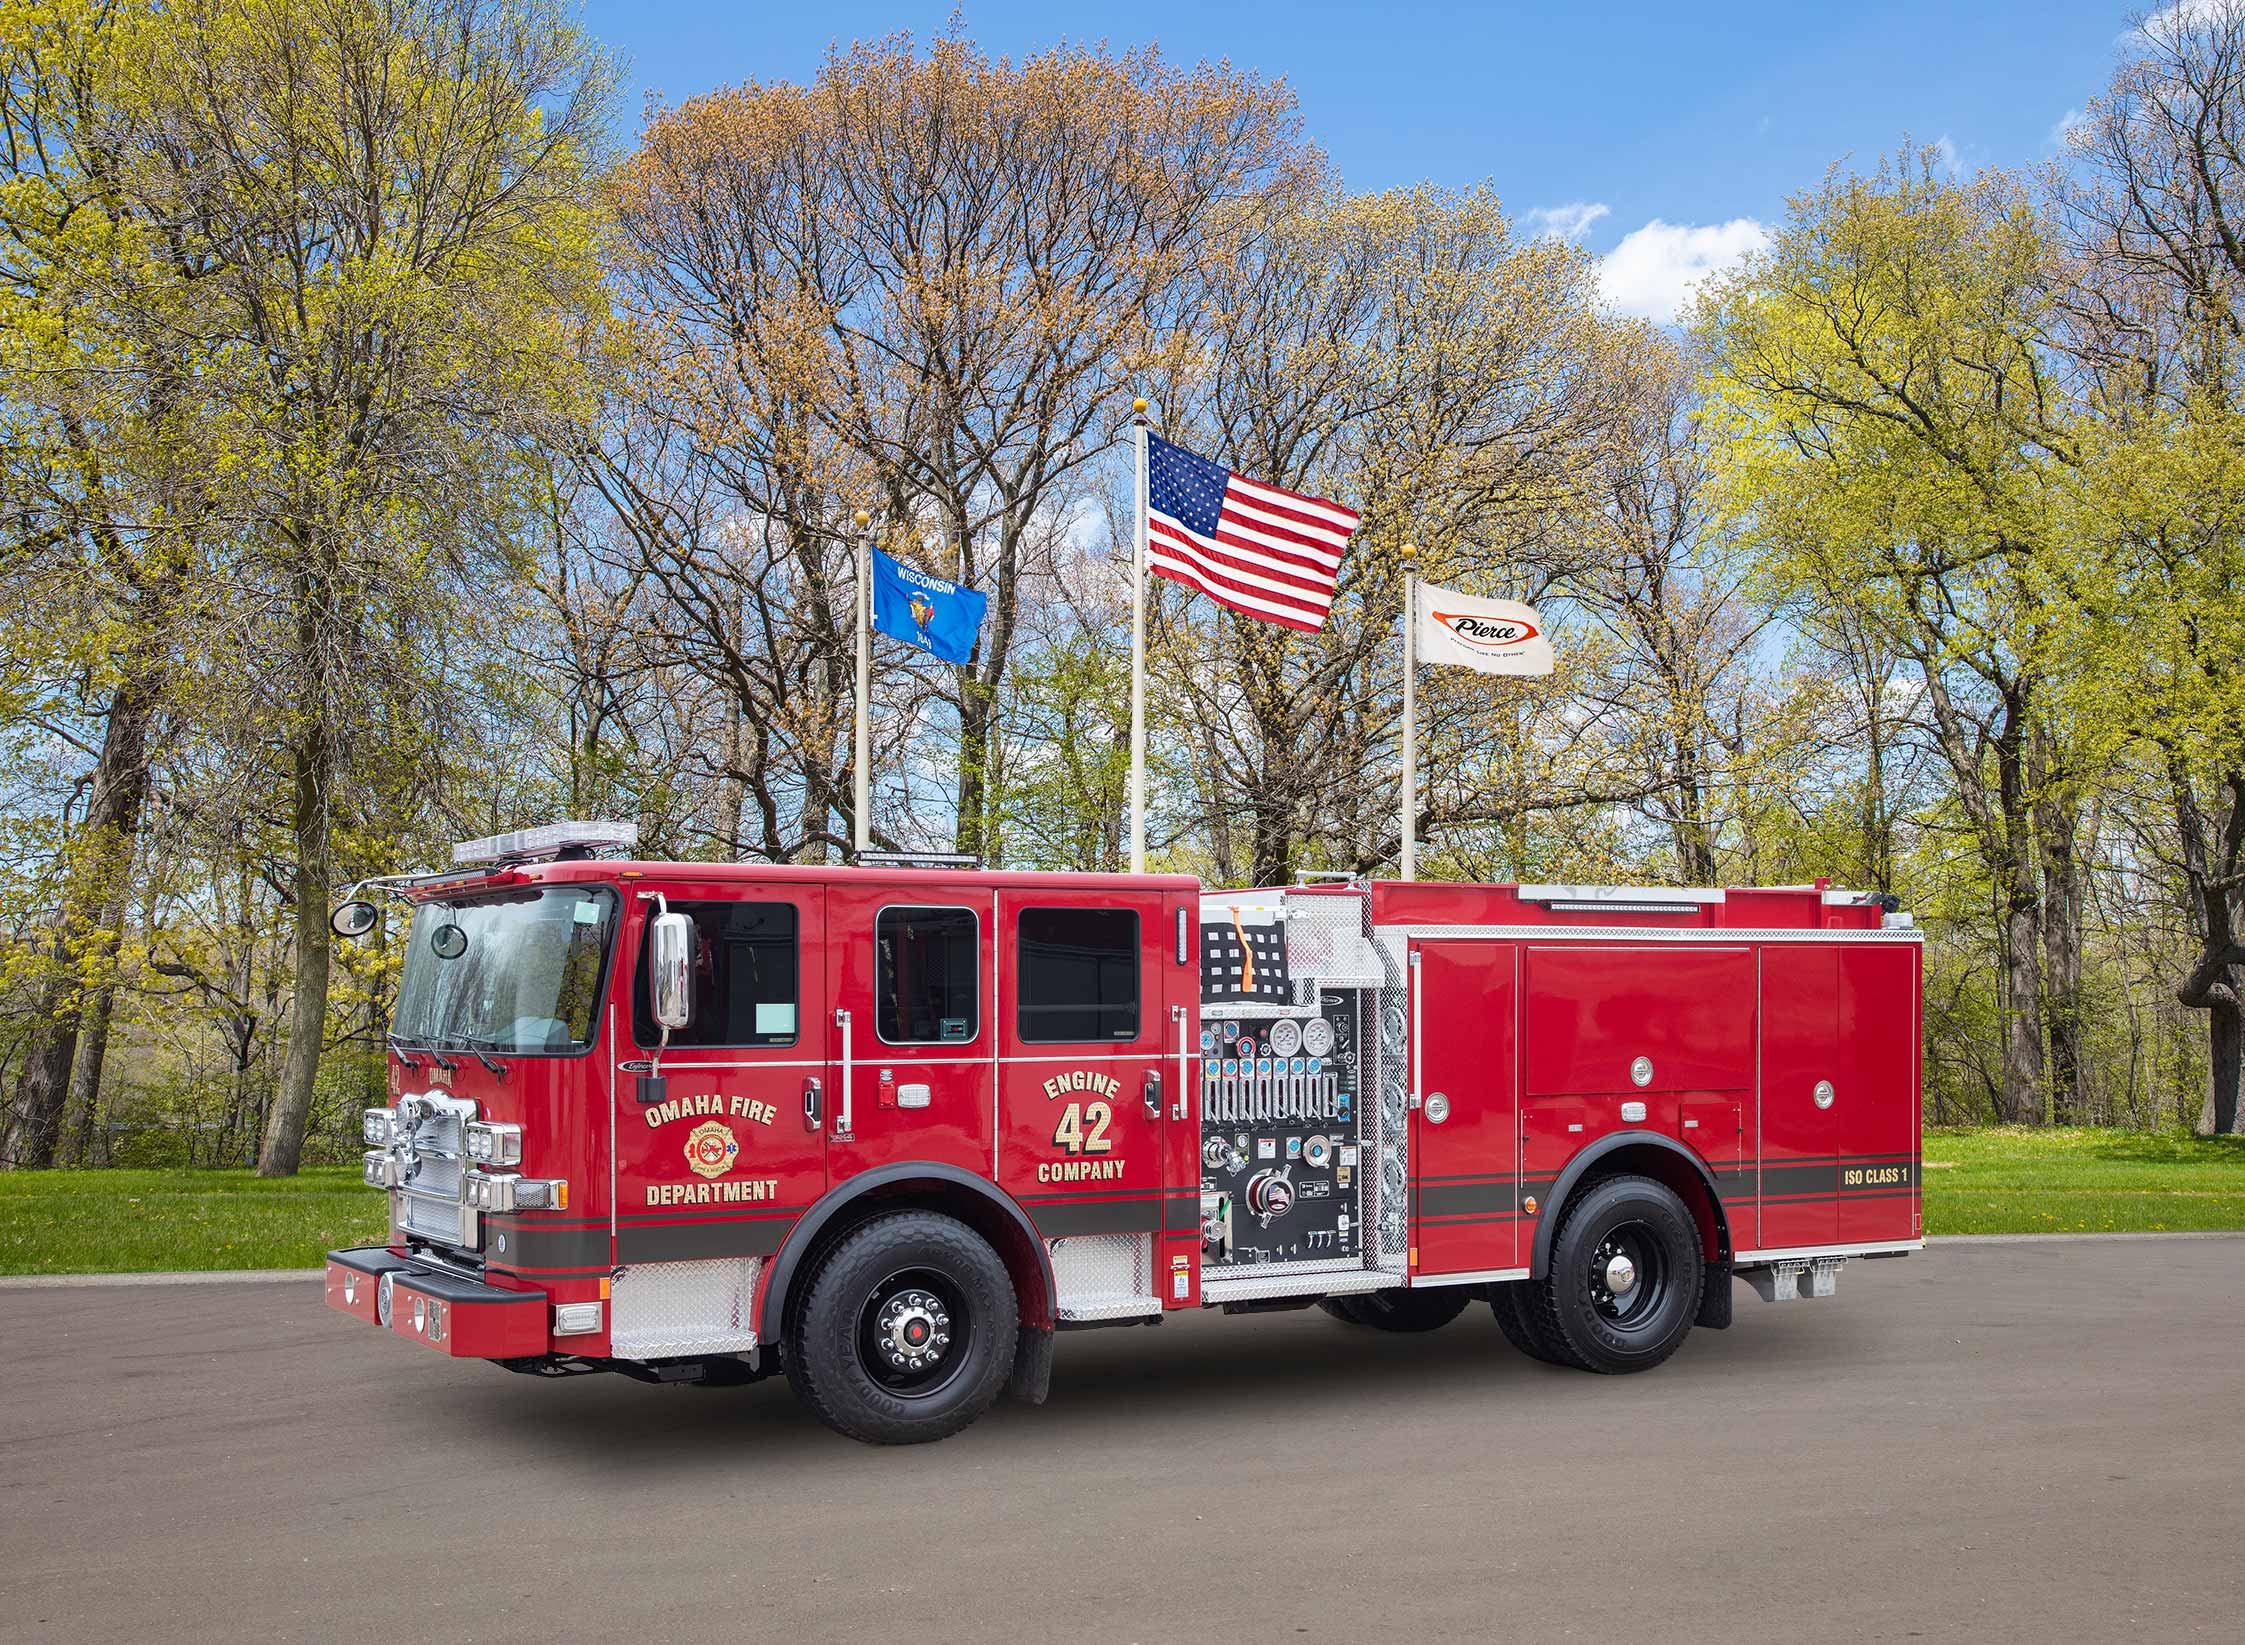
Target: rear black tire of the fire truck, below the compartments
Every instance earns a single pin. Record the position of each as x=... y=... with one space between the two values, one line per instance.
x=1609 y=1330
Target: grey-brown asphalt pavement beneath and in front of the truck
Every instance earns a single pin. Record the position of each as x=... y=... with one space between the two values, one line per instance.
x=2031 y=1442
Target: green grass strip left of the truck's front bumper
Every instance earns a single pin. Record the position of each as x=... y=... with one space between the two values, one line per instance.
x=147 y=1222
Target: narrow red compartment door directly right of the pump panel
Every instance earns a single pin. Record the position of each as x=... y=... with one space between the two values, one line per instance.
x=1465 y=1139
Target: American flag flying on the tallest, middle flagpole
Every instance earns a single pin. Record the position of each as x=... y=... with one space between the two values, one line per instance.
x=1256 y=549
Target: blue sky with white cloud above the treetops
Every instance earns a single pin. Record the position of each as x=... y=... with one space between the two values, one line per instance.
x=1701 y=120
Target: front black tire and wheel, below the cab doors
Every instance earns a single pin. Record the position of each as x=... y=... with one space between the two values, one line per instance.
x=892 y=1292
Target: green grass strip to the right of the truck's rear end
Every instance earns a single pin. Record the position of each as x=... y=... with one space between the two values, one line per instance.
x=2078 y=1182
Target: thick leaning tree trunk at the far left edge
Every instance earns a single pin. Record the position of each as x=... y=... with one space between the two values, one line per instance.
x=84 y=928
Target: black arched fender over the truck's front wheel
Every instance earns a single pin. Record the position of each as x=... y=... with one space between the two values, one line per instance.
x=924 y=1186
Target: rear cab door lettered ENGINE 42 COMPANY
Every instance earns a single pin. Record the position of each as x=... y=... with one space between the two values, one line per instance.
x=1092 y=1065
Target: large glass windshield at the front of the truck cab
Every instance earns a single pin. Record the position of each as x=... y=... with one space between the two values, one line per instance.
x=508 y=973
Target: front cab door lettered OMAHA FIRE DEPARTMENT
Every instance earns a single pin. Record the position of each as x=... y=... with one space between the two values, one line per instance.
x=735 y=1148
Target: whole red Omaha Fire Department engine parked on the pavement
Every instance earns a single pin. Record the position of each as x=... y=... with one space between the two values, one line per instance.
x=890 y=1128
